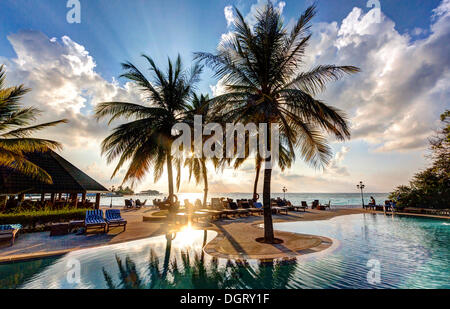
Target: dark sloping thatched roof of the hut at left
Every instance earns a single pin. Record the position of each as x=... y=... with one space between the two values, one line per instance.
x=66 y=177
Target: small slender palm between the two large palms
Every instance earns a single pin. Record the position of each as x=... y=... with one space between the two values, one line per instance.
x=197 y=166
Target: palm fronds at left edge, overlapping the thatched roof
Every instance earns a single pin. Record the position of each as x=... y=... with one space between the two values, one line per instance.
x=16 y=131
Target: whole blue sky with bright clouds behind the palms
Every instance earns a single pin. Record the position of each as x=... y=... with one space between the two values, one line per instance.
x=393 y=105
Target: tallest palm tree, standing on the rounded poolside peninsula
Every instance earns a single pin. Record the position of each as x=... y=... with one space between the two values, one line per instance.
x=261 y=67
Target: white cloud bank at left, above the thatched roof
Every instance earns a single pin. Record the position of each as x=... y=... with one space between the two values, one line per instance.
x=64 y=84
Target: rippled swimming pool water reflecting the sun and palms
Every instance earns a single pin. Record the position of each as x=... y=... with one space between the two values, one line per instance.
x=369 y=251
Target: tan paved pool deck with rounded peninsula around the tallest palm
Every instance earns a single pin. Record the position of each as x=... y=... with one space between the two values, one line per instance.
x=235 y=239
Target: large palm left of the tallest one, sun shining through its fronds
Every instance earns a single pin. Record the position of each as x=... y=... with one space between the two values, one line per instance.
x=147 y=140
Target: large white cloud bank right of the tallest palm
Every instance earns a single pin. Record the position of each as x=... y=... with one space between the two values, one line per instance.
x=394 y=103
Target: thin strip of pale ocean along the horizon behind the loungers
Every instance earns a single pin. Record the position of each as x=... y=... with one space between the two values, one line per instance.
x=337 y=199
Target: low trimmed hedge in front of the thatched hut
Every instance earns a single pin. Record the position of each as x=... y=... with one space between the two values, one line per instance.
x=31 y=219
